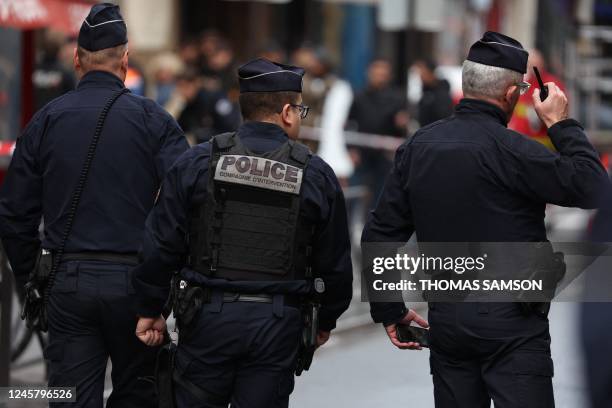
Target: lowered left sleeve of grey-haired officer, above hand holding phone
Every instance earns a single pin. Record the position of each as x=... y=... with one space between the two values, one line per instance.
x=390 y=221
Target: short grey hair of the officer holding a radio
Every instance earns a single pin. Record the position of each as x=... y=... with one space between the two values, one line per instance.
x=488 y=81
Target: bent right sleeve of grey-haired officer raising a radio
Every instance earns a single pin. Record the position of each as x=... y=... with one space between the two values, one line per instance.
x=573 y=177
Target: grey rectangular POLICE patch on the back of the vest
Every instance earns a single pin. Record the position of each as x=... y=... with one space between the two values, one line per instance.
x=259 y=172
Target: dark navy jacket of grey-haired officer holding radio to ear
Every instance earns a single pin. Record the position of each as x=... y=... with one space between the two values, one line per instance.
x=470 y=179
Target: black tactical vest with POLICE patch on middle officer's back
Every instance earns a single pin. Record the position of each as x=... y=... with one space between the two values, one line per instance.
x=249 y=227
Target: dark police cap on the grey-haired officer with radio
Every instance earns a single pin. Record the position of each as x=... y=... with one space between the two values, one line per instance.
x=499 y=50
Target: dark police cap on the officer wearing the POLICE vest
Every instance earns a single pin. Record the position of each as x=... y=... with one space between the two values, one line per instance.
x=262 y=75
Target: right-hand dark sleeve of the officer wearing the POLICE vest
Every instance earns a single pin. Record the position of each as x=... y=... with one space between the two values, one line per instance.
x=332 y=256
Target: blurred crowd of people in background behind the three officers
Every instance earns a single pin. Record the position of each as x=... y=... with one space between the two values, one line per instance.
x=198 y=85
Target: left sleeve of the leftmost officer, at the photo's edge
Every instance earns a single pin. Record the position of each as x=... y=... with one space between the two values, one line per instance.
x=21 y=202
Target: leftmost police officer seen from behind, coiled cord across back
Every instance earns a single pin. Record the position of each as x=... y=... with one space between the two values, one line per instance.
x=91 y=309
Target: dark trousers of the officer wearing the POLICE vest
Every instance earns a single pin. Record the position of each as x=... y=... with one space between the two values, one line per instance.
x=243 y=353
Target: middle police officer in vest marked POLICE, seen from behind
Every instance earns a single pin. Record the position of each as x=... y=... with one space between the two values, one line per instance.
x=252 y=219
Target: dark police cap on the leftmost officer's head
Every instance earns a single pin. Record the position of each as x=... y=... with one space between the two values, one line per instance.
x=103 y=28
